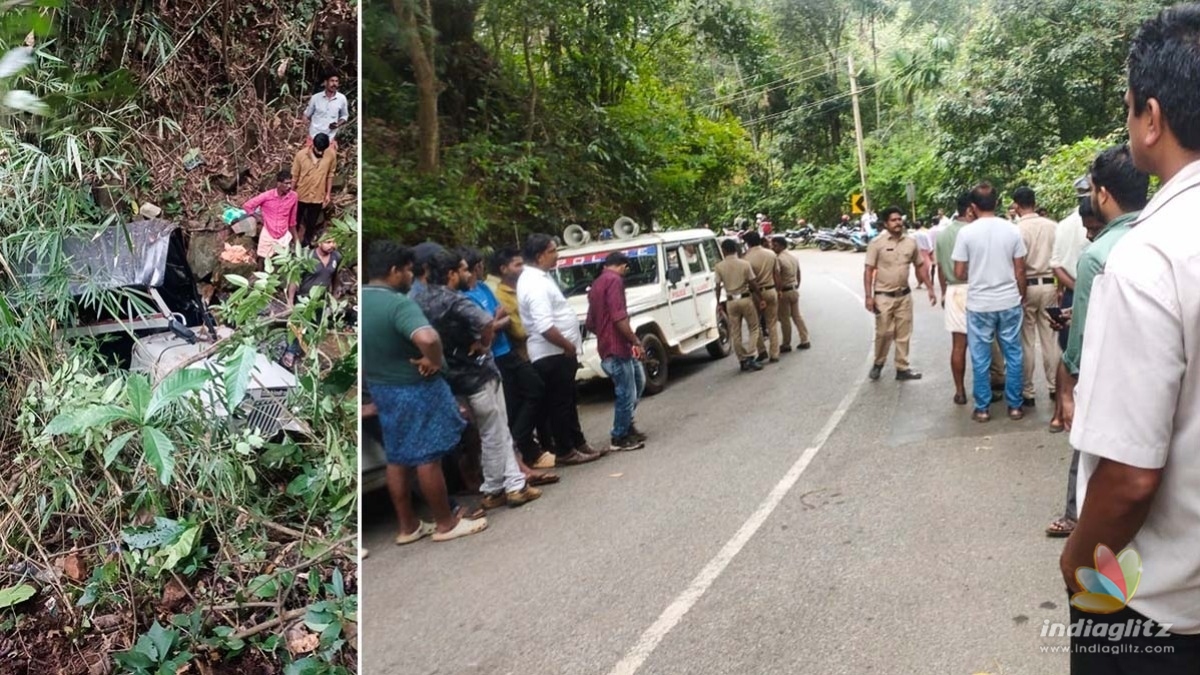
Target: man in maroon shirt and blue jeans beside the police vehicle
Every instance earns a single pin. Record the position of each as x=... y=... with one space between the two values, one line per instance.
x=621 y=351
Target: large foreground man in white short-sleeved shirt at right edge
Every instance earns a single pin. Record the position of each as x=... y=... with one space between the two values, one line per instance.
x=1137 y=421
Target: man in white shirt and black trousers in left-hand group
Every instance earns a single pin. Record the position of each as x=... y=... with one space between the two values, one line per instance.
x=554 y=345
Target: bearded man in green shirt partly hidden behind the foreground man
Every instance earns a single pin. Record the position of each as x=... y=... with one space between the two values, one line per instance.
x=1119 y=194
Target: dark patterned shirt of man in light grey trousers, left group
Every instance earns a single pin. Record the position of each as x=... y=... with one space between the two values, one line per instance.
x=460 y=322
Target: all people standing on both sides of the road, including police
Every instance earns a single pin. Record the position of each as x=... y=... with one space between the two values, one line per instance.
x=1103 y=301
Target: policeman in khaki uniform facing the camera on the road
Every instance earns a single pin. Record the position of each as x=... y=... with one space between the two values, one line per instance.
x=889 y=294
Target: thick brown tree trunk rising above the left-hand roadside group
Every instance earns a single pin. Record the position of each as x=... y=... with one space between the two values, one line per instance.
x=418 y=23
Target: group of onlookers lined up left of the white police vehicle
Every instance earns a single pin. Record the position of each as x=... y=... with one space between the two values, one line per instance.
x=453 y=339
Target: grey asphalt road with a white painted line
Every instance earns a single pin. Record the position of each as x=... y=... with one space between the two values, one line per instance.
x=797 y=521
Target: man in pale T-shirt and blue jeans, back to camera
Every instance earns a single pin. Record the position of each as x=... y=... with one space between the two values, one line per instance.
x=989 y=254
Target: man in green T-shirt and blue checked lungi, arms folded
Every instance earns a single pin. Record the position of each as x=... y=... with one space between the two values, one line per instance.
x=403 y=365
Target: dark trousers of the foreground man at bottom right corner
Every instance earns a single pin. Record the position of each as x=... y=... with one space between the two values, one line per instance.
x=1138 y=655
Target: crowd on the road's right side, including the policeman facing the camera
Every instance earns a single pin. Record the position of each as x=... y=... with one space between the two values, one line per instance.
x=1108 y=298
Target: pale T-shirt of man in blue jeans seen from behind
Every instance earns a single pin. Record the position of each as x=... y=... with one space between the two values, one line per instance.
x=989 y=247
